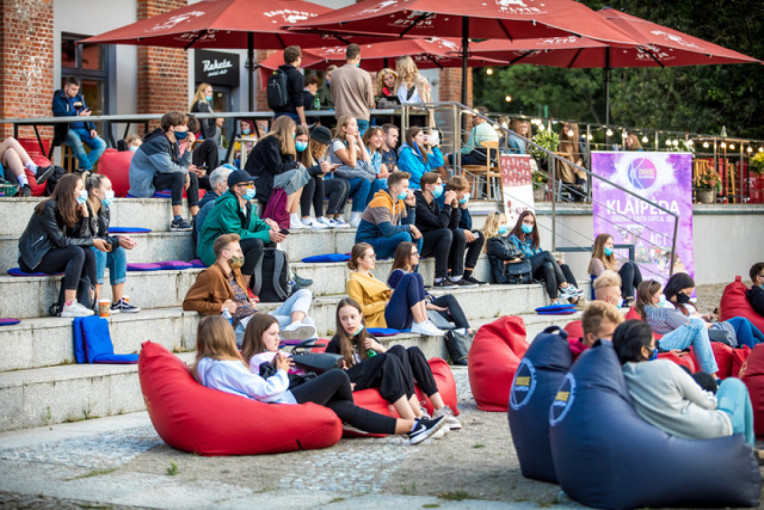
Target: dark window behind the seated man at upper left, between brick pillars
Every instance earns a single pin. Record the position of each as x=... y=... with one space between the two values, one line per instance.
x=89 y=63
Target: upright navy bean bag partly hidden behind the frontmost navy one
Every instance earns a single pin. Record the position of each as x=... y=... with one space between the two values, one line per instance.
x=534 y=387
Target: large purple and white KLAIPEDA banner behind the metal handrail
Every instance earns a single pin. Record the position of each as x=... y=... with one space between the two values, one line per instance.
x=661 y=177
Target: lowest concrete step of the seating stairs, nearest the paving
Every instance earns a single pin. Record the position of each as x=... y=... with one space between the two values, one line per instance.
x=50 y=395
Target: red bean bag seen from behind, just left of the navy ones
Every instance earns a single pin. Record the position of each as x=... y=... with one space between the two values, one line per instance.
x=495 y=353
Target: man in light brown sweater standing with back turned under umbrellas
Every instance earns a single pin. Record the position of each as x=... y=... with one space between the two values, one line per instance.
x=352 y=90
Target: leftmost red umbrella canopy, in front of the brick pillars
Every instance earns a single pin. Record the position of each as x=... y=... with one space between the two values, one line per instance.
x=221 y=24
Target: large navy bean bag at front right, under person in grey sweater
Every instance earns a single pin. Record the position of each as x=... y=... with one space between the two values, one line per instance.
x=606 y=456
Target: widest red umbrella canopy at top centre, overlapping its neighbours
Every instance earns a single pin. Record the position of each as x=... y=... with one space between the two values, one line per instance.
x=490 y=19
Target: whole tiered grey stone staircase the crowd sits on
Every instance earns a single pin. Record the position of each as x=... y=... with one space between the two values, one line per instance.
x=39 y=384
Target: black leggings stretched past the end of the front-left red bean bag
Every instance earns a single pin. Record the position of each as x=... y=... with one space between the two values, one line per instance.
x=332 y=389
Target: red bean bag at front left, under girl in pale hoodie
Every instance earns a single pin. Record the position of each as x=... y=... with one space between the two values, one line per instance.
x=192 y=418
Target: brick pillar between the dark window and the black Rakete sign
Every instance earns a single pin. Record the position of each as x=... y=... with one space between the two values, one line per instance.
x=162 y=72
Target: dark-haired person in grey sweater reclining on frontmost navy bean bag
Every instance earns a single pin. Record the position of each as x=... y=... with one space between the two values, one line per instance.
x=666 y=396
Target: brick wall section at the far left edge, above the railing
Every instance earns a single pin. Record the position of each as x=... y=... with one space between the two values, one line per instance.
x=26 y=61
